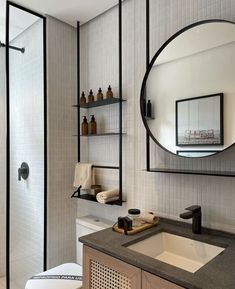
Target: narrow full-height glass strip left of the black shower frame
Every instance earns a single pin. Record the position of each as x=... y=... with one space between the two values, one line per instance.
x=2 y=150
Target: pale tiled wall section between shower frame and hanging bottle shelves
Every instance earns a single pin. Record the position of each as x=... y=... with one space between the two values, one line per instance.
x=62 y=145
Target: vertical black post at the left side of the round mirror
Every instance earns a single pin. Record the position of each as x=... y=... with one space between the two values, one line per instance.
x=147 y=64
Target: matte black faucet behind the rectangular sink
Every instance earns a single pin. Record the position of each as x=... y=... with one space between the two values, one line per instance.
x=196 y=214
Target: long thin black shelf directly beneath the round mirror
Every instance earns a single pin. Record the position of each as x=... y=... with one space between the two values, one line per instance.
x=193 y=172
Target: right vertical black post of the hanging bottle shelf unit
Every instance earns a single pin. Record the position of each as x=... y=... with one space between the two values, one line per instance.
x=120 y=98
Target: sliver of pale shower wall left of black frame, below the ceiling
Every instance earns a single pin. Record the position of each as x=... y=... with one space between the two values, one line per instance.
x=2 y=164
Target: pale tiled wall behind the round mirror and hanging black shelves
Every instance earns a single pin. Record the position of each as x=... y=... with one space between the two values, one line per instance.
x=167 y=194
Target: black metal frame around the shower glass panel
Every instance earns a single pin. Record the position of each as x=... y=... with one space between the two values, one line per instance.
x=8 y=4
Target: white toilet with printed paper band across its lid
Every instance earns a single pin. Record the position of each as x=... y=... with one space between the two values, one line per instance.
x=68 y=276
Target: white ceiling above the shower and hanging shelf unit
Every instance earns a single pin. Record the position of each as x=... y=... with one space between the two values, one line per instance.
x=68 y=11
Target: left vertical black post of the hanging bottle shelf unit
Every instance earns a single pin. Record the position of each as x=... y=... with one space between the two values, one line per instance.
x=78 y=96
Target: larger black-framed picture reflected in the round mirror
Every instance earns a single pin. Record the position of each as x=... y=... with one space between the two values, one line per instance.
x=199 y=121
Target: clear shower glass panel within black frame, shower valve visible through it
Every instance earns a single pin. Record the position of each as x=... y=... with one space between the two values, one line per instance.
x=26 y=130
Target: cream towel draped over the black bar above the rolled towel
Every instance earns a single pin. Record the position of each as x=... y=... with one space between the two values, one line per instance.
x=84 y=176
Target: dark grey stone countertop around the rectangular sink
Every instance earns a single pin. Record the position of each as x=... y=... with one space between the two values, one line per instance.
x=219 y=273
